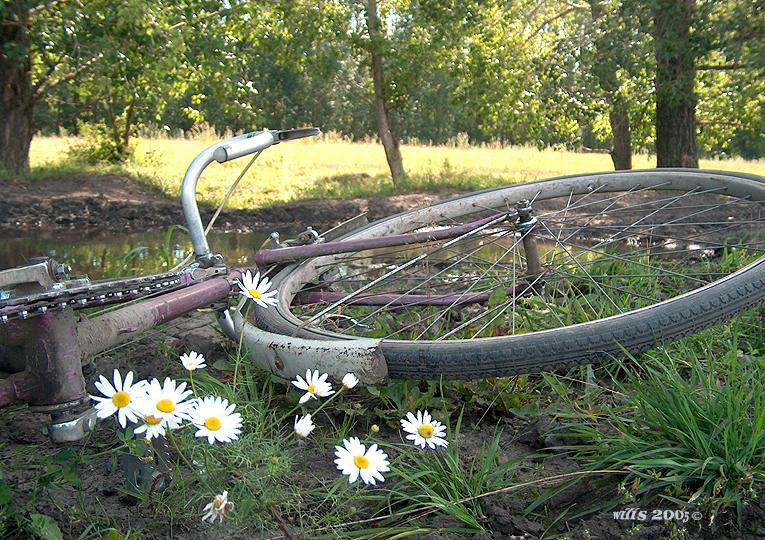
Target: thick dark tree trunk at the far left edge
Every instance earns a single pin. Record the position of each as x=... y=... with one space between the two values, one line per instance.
x=15 y=91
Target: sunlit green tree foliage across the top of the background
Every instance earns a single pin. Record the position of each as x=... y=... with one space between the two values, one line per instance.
x=545 y=74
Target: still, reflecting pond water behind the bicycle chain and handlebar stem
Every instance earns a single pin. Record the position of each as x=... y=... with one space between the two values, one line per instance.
x=107 y=255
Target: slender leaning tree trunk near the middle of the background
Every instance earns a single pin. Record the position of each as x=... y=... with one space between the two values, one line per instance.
x=387 y=137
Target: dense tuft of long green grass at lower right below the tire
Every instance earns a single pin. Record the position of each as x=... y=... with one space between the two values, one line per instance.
x=685 y=422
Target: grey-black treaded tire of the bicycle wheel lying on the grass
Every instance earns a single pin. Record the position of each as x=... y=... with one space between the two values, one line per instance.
x=569 y=346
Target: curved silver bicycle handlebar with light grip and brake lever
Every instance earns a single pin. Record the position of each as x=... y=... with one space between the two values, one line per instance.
x=224 y=151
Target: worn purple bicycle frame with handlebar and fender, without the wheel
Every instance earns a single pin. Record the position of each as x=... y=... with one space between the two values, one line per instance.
x=52 y=347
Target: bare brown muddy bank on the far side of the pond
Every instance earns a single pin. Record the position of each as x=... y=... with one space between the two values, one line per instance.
x=119 y=204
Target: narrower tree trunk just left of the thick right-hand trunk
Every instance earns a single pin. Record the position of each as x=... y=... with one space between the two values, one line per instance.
x=605 y=69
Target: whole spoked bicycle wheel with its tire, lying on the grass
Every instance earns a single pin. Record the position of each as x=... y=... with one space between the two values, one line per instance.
x=623 y=261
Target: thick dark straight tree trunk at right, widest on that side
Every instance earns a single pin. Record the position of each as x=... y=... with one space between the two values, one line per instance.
x=676 y=144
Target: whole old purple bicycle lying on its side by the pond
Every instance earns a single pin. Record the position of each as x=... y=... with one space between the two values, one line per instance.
x=518 y=279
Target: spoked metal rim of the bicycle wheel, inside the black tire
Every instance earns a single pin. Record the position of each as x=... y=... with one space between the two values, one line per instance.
x=695 y=227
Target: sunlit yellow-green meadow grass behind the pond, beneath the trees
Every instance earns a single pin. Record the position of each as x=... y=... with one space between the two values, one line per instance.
x=332 y=167
